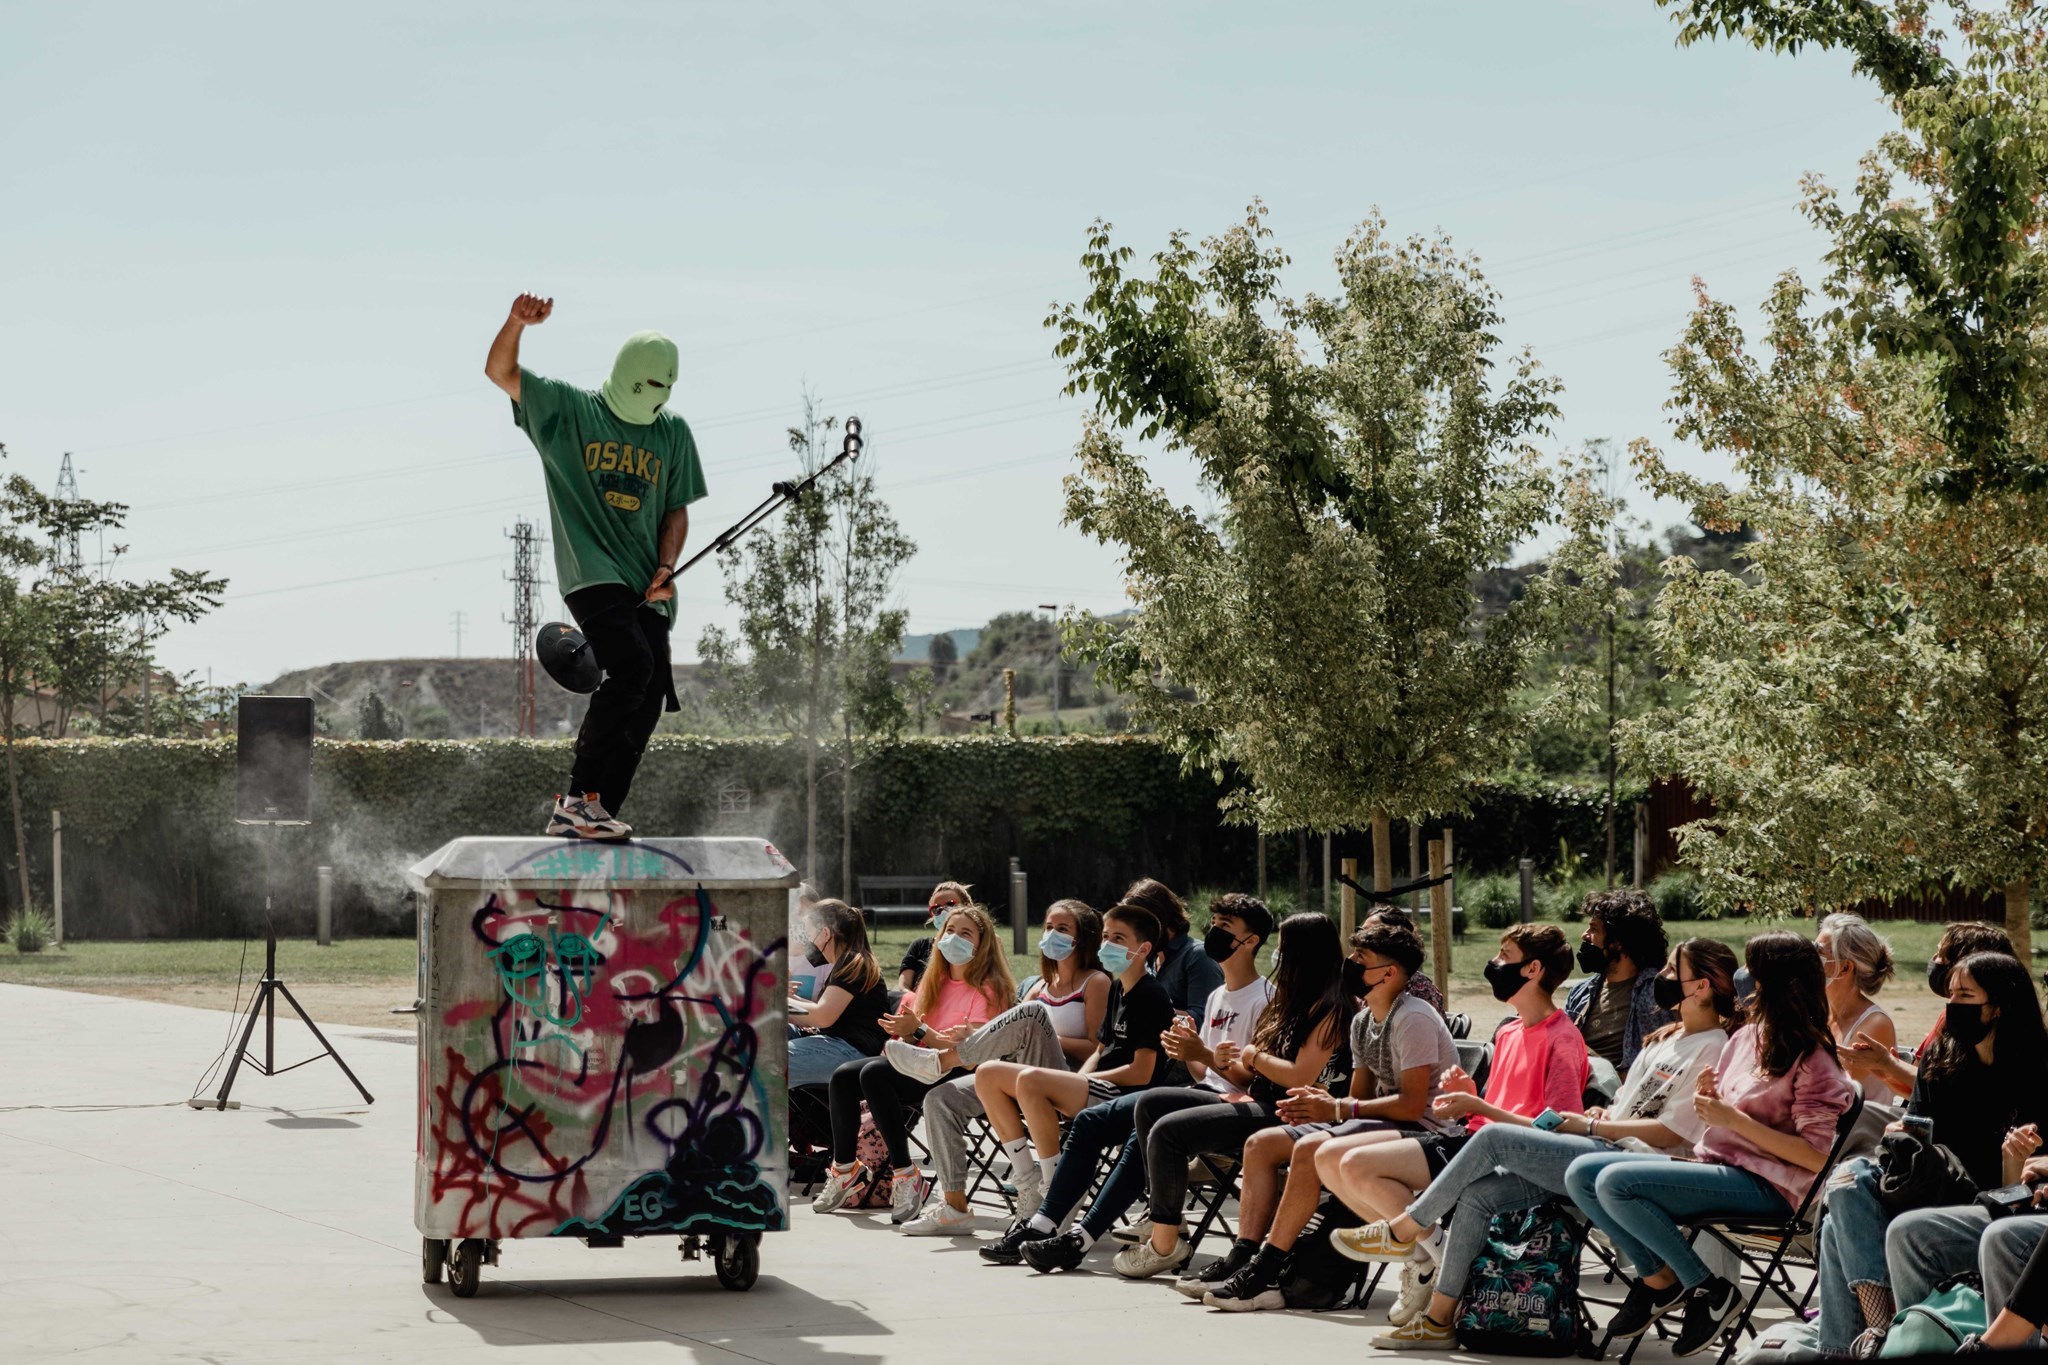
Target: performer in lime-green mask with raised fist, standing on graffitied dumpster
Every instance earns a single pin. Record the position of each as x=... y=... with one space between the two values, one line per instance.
x=622 y=476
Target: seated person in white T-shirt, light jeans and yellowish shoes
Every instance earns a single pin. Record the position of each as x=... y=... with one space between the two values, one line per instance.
x=1514 y=1165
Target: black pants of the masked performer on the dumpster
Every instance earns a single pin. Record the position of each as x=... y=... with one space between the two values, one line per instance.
x=630 y=642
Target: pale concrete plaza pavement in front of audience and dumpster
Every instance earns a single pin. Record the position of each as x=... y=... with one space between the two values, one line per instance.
x=144 y=1231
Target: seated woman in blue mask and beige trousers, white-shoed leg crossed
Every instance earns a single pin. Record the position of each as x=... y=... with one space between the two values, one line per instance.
x=1056 y=1024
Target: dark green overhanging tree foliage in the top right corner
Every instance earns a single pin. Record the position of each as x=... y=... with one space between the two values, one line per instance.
x=1947 y=269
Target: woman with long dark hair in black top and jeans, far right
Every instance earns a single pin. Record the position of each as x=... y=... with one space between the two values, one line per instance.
x=1983 y=1084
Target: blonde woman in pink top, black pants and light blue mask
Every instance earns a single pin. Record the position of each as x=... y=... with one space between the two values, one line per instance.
x=966 y=987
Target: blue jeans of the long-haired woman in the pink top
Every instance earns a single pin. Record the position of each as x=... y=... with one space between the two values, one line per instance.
x=1639 y=1202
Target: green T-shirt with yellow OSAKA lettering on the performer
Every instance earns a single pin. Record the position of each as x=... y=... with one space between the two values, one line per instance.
x=609 y=482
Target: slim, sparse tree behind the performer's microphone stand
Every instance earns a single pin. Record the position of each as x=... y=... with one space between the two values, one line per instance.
x=816 y=637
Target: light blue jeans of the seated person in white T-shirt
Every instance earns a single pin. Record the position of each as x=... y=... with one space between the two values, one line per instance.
x=1502 y=1170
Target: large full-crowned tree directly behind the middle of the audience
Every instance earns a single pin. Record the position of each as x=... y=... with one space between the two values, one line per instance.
x=1369 y=457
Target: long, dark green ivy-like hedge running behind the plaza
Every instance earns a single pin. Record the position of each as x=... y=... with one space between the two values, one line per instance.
x=153 y=846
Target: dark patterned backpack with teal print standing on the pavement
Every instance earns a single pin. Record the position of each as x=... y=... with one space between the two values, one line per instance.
x=1523 y=1296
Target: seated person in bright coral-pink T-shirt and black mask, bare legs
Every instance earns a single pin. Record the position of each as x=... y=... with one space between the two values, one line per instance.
x=1539 y=1063
